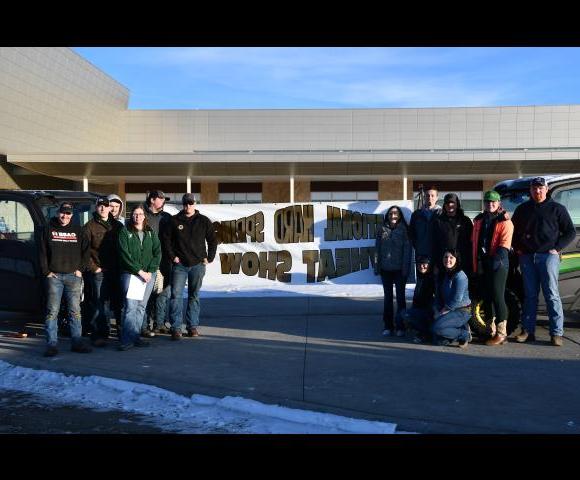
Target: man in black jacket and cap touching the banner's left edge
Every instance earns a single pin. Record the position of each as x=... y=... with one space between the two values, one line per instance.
x=185 y=245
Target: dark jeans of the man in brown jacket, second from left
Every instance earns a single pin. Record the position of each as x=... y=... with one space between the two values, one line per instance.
x=102 y=285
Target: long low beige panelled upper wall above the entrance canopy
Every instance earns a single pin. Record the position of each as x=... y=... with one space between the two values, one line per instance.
x=354 y=129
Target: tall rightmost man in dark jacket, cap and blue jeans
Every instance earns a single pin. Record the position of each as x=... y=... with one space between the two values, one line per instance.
x=542 y=229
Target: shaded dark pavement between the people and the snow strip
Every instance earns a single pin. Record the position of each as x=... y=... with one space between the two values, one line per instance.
x=327 y=354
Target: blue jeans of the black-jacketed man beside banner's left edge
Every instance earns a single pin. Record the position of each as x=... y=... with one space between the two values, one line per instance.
x=194 y=276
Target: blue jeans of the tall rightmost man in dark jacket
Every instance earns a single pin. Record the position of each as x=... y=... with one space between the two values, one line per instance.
x=541 y=269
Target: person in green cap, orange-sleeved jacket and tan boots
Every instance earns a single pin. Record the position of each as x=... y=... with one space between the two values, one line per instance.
x=492 y=240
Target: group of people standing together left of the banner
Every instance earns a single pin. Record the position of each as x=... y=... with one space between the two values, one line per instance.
x=107 y=255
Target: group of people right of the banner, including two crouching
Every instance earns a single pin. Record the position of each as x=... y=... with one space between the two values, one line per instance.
x=453 y=254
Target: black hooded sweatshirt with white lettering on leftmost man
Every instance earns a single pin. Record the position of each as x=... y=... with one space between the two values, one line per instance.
x=63 y=249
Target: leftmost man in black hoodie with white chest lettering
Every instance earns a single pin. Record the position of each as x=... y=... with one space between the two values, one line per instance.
x=63 y=251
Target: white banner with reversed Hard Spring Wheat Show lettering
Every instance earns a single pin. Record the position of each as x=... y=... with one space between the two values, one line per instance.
x=263 y=245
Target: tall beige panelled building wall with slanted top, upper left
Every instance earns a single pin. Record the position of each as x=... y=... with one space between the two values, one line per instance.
x=53 y=100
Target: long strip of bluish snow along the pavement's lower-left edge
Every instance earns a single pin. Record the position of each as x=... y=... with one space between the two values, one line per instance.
x=176 y=413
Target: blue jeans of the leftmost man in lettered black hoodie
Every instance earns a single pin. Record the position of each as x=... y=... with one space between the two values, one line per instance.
x=70 y=285
